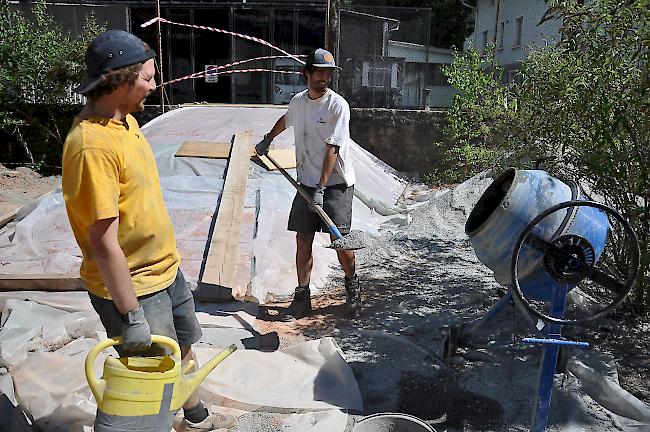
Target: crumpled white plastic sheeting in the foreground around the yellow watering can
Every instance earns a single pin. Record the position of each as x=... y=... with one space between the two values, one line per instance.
x=44 y=351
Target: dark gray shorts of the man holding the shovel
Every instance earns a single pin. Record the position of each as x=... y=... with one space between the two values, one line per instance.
x=337 y=203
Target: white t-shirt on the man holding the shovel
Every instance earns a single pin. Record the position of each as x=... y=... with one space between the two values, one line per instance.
x=316 y=123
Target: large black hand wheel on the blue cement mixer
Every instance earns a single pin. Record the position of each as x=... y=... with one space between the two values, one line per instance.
x=571 y=259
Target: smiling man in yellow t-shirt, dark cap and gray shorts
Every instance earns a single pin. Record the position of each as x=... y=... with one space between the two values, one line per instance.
x=117 y=213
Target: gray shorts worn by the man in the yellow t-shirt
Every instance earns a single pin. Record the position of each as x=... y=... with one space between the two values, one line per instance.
x=169 y=312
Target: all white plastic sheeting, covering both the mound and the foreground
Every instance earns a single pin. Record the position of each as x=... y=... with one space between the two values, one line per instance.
x=45 y=336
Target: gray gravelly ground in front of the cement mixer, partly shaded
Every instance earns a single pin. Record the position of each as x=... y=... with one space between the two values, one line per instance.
x=420 y=278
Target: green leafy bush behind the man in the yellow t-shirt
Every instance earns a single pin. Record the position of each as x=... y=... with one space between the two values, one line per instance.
x=39 y=63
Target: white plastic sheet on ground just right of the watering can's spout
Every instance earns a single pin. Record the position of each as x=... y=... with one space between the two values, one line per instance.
x=311 y=375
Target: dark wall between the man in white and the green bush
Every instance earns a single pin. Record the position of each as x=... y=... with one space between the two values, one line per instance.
x=401 y=138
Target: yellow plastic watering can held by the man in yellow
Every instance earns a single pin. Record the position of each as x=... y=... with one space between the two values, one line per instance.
x=139 y=386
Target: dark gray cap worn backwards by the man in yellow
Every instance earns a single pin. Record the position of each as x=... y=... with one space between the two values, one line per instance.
x=111 y=50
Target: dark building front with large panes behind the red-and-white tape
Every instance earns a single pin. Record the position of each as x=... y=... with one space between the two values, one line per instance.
x=294 y=26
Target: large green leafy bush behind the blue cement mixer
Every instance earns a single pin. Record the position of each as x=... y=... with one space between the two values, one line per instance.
x=580 y=109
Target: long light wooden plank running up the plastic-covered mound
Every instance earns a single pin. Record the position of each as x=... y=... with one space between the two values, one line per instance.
x=220 y=267
